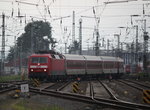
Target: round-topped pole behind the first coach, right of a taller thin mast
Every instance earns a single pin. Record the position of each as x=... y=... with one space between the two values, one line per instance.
x=80 y=37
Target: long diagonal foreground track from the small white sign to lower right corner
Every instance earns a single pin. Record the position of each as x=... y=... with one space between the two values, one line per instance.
x=91 y=99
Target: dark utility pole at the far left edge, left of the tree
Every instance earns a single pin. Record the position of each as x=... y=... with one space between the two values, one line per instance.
x=3 y=44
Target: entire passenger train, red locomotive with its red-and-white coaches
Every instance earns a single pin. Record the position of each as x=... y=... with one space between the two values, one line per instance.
x=52 y=65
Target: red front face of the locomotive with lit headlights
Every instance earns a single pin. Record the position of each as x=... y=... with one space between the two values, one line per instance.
x=38 y=66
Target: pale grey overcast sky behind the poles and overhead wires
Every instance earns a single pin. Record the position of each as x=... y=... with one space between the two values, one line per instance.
x=111 y=15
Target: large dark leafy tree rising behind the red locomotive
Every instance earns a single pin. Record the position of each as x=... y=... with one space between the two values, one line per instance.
x=37 y=36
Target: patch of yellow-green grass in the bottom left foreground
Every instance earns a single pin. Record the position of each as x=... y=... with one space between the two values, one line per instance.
x=23 y=104
